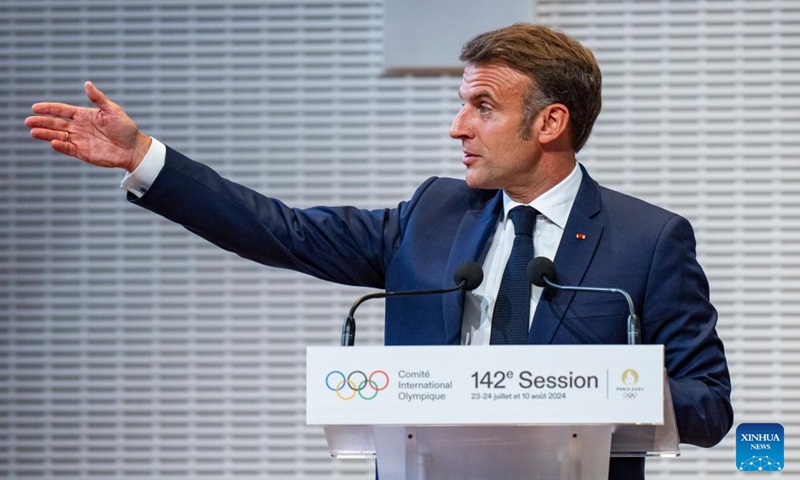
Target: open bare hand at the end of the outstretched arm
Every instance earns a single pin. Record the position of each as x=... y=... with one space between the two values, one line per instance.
x=104 y=136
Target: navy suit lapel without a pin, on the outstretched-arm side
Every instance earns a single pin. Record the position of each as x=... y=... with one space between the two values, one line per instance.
x=468 y=244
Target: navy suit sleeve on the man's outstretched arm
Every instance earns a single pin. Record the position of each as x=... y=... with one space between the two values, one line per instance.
x=340 y=244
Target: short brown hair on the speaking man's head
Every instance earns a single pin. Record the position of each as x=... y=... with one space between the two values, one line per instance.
x=560 y=68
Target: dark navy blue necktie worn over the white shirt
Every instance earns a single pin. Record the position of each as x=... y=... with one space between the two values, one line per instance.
x=513 y=305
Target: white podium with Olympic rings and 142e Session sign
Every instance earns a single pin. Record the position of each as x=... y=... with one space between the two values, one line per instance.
x=516 y=412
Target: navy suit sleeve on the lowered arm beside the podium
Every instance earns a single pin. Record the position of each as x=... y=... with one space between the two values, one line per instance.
x=680 y=316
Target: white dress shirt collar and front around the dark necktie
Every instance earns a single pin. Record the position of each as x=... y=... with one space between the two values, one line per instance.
x=554 y=207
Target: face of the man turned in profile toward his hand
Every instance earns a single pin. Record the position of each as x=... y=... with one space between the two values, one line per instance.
x=489 y=127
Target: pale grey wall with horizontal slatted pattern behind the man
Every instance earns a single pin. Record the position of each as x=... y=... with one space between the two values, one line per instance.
x=129 y=349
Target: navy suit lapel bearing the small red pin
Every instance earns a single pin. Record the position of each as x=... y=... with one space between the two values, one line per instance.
x=575 y=252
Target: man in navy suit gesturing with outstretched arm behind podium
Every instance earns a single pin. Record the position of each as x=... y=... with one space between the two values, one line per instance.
x=530 y=99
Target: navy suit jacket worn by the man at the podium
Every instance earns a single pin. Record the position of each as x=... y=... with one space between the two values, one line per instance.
x=610 y=240
